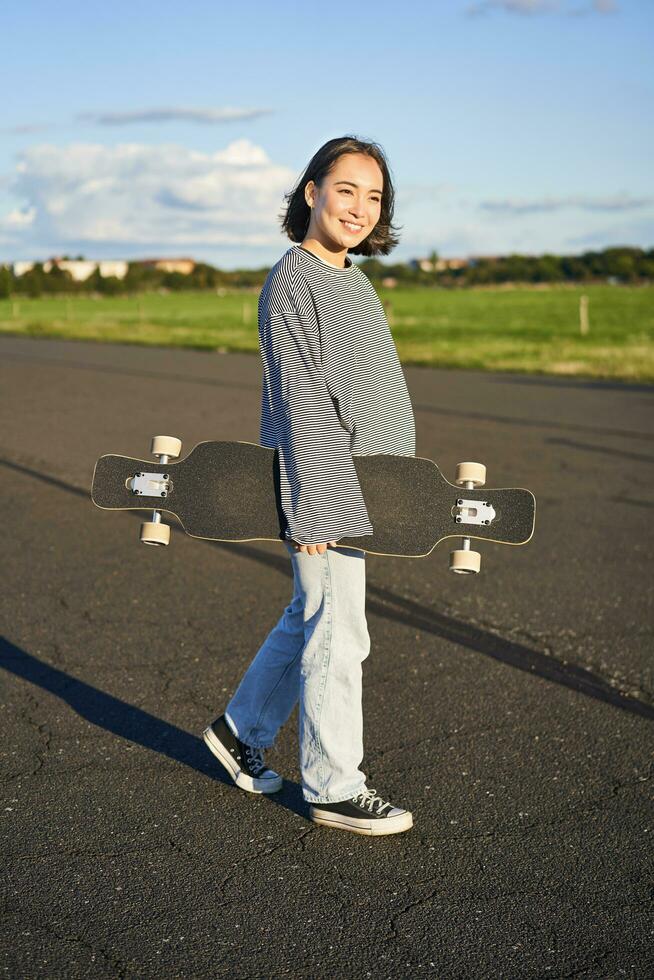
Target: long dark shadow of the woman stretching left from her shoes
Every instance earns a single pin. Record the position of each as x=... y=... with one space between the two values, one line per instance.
x=131 y=723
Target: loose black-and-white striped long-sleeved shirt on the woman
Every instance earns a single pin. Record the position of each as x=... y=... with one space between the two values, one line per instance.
x=333 y=388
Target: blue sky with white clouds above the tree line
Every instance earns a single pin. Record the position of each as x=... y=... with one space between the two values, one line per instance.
x=142 y=129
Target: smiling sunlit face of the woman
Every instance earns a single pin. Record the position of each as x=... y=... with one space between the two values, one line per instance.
x=348 y=205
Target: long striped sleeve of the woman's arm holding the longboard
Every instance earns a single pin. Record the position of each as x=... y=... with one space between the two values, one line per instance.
x=319 y=488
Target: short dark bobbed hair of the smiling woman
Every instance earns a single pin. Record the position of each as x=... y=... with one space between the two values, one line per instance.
x=295 y=220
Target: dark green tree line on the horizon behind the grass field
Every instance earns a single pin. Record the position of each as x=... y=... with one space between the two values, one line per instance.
x=618 y=265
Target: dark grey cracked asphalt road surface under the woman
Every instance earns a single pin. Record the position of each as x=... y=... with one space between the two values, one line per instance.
x=512 y=712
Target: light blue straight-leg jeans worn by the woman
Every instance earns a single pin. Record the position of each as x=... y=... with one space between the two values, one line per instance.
x=314 y=655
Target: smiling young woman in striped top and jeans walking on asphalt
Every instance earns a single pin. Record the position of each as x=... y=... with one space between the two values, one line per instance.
x=333 y=388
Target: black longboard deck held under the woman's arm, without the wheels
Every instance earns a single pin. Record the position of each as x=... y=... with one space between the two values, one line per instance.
x=229 y=491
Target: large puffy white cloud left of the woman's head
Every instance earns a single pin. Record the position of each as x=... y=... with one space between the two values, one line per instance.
x=146 y=195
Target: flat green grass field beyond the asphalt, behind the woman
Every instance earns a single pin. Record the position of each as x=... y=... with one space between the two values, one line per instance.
x=518 y=329
